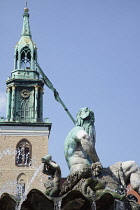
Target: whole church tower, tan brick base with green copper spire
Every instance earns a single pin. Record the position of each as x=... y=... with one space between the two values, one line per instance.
x=23 y=135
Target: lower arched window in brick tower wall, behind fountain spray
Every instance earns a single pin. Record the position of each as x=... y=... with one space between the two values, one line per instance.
x=21 y=184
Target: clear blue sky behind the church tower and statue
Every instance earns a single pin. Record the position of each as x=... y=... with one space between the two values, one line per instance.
x=90 y=50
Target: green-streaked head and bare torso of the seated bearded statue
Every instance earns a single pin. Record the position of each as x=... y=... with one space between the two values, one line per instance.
x=80 y=143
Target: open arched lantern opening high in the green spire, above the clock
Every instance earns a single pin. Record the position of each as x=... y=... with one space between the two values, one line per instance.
x=25 y=58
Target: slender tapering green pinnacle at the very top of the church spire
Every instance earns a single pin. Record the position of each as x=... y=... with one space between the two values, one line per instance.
x=26 y=25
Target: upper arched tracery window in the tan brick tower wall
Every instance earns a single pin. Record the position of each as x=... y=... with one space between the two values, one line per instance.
x=23 y=153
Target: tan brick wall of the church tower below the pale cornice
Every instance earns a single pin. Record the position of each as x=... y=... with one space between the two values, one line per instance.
x=10 y=172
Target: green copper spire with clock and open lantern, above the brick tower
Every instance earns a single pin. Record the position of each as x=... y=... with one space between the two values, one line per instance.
x=25 y=87
